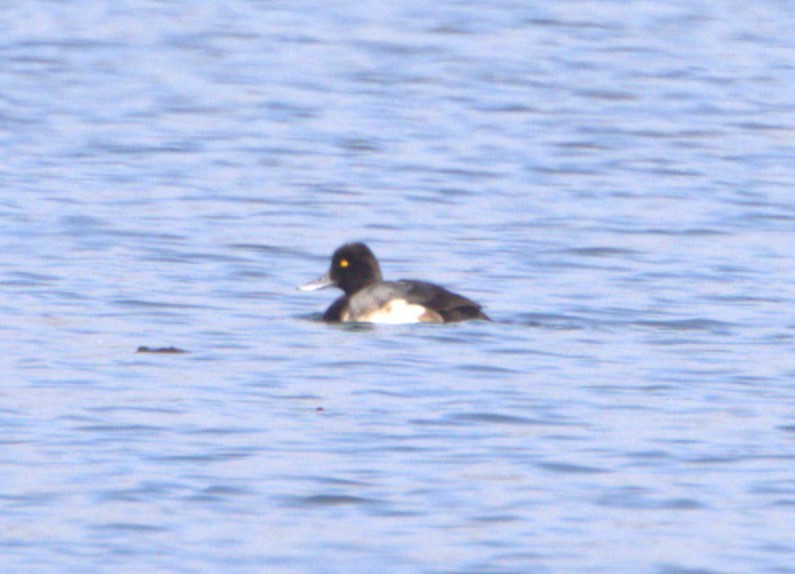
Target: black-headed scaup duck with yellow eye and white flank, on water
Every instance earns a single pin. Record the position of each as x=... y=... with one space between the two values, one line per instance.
x=370 y=299
